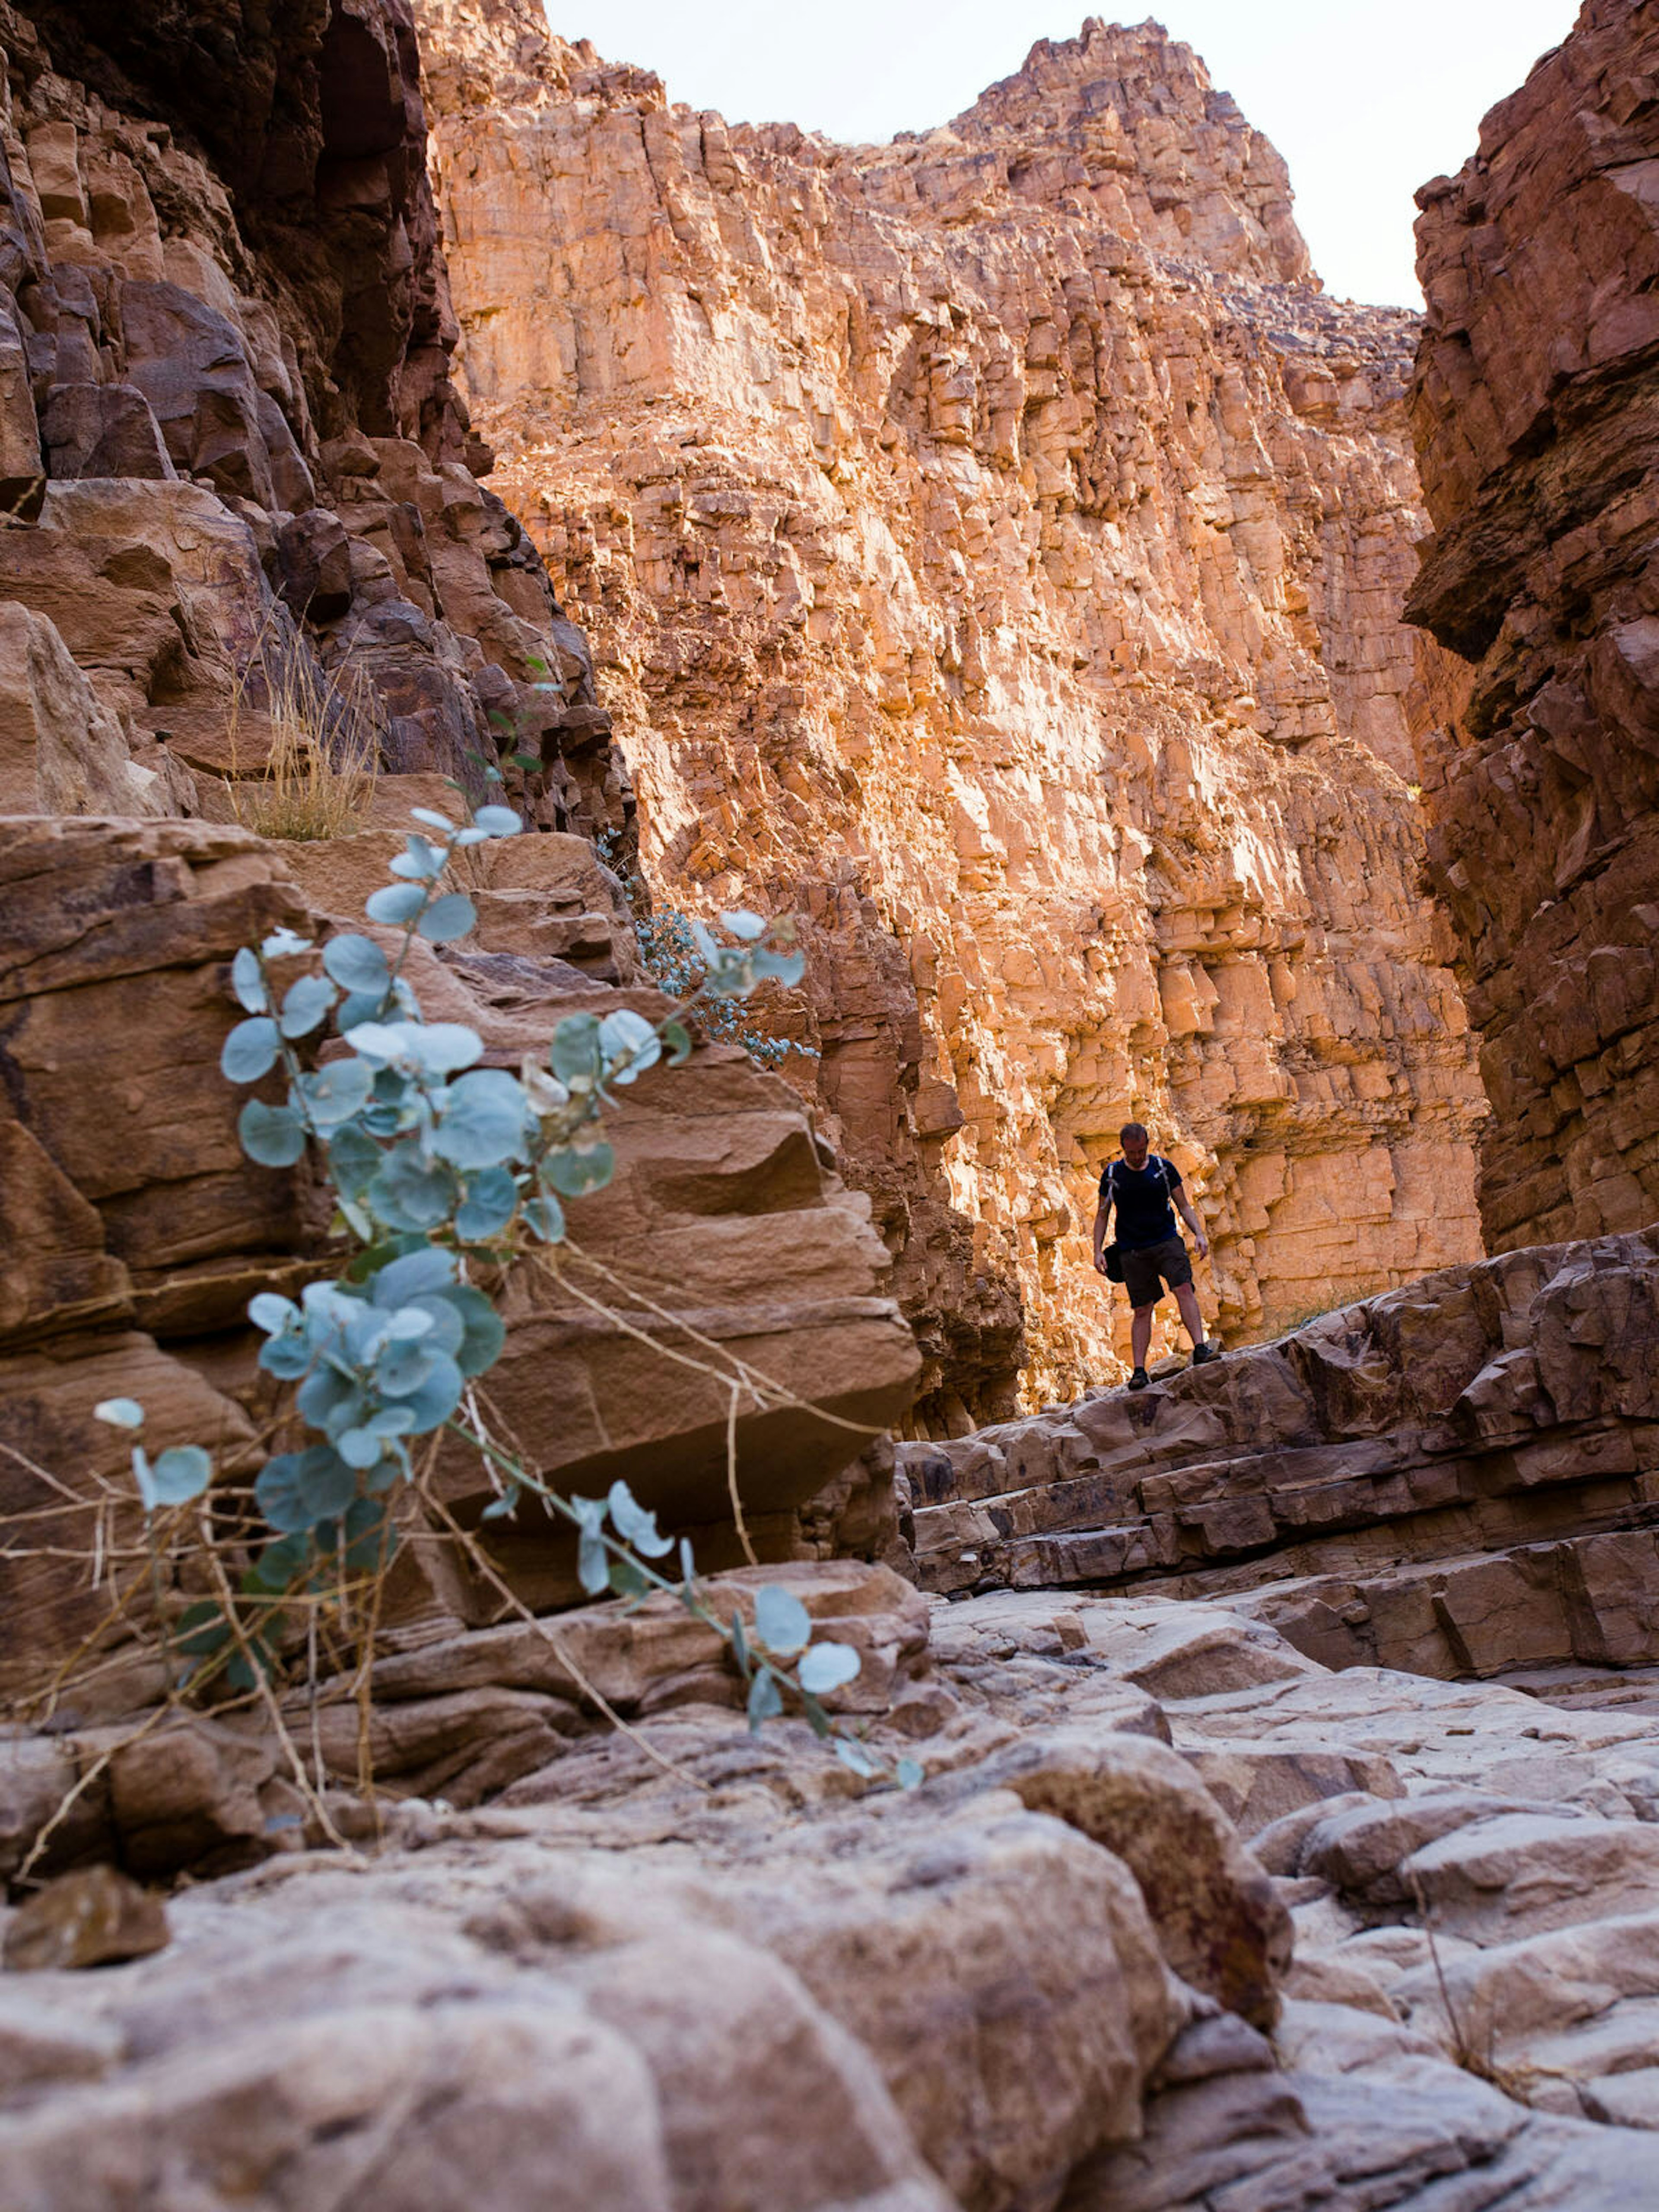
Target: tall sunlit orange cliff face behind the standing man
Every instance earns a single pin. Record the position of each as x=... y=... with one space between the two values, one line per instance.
x=999 y=541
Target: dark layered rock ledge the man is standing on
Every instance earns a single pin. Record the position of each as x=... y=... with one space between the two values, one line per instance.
x=1459 y=1479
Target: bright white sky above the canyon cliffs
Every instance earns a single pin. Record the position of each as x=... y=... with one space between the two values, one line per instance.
x=1364 y=98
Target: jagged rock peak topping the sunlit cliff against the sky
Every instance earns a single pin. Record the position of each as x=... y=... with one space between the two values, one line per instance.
x=1129 y=114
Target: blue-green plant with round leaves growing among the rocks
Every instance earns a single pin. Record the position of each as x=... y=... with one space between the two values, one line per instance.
x=439 y=1162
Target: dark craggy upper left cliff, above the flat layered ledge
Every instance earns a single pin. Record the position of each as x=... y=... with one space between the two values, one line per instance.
x=227 y=413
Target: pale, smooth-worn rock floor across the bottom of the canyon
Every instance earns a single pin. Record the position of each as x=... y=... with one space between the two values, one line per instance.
x=1180 y=1919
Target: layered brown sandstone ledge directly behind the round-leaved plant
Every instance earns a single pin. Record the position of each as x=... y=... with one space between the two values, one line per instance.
x=136 y=1246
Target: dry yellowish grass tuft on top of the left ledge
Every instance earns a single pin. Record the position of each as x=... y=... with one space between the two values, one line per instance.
x=326 y=733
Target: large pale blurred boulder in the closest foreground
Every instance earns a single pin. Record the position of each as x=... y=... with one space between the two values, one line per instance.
x=890 y=2016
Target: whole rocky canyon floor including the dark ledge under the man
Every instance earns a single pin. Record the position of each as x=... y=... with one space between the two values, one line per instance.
x=1180 y=1917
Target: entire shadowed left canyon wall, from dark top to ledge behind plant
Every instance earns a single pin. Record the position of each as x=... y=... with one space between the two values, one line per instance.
x=233 y=468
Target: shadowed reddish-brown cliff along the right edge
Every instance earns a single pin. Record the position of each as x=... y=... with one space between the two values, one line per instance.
x=1536 y=417
